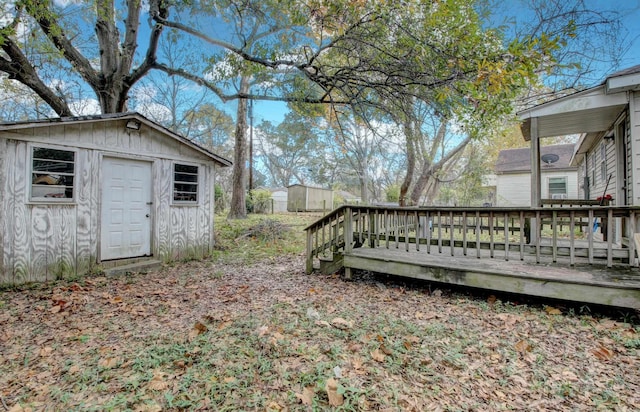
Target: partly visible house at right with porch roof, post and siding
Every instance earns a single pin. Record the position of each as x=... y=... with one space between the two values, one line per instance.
x=608 y=154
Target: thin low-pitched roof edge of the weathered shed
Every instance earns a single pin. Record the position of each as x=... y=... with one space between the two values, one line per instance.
x=117 y=116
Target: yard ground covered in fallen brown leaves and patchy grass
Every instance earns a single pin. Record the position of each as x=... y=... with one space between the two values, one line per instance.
x=248 y=330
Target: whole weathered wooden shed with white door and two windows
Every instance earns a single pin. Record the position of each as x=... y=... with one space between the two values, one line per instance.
x=85 y=192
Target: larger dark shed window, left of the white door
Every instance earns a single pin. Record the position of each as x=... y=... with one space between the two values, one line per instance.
x=52 y=174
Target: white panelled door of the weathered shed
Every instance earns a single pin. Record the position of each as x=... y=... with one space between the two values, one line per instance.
x=126 y=209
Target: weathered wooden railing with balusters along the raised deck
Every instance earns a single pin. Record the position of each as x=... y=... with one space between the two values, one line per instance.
x=567 y=235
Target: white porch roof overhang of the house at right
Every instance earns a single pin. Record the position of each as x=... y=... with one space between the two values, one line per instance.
x=589 y=111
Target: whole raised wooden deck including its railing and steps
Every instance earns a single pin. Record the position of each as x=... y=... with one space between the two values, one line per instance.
x=490 y=249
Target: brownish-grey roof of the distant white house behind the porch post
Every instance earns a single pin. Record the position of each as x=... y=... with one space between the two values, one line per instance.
x=519 y=160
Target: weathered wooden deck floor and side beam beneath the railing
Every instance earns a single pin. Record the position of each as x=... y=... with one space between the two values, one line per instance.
x=617 y=286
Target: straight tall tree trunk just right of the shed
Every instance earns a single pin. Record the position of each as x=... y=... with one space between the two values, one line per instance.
x=238 y=208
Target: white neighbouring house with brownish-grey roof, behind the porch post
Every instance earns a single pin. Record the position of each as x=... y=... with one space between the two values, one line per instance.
x=559 y=179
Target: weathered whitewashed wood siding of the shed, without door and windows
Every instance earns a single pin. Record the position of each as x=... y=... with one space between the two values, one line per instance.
x=46 y=241
